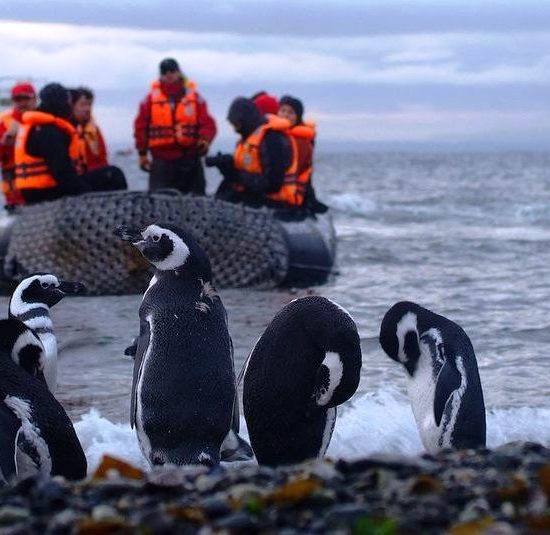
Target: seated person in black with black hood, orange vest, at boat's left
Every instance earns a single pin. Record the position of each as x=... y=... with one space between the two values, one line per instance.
x=47 y=153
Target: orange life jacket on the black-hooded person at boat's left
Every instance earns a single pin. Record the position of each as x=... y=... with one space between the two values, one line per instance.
x=31 y=172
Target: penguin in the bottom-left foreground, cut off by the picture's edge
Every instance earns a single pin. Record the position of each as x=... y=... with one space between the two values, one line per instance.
x=37 y=435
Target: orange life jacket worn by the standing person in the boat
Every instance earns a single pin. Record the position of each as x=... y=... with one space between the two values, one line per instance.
x=173 y=125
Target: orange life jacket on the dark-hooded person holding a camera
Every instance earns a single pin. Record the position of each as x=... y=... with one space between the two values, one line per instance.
x=247 y=158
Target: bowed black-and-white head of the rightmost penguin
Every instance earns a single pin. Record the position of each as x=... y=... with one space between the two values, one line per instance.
x=399 y=334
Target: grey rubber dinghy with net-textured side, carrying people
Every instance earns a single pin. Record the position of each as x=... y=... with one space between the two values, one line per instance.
x=73 y=238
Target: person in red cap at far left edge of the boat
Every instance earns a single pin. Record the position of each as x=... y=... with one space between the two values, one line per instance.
x=23 y=97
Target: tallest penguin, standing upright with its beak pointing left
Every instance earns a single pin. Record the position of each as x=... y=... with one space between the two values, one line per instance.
x=183 y=391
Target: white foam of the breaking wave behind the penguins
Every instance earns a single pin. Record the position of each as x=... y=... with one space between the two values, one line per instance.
x=381 y=422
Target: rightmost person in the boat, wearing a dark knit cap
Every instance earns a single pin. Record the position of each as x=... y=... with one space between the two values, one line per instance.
x=292 y=109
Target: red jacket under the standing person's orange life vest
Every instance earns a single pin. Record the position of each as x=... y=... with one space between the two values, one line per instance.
x=207 y=126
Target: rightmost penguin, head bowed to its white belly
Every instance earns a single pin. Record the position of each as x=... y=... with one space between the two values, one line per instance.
x=443 y=379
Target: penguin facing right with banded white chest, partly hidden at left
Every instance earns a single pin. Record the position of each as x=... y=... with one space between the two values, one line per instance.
x=31 y=302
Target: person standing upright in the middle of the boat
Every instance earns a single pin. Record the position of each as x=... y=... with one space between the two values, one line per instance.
x=174 y=125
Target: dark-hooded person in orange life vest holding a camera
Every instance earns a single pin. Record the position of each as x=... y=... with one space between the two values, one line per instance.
x=257 y=173
